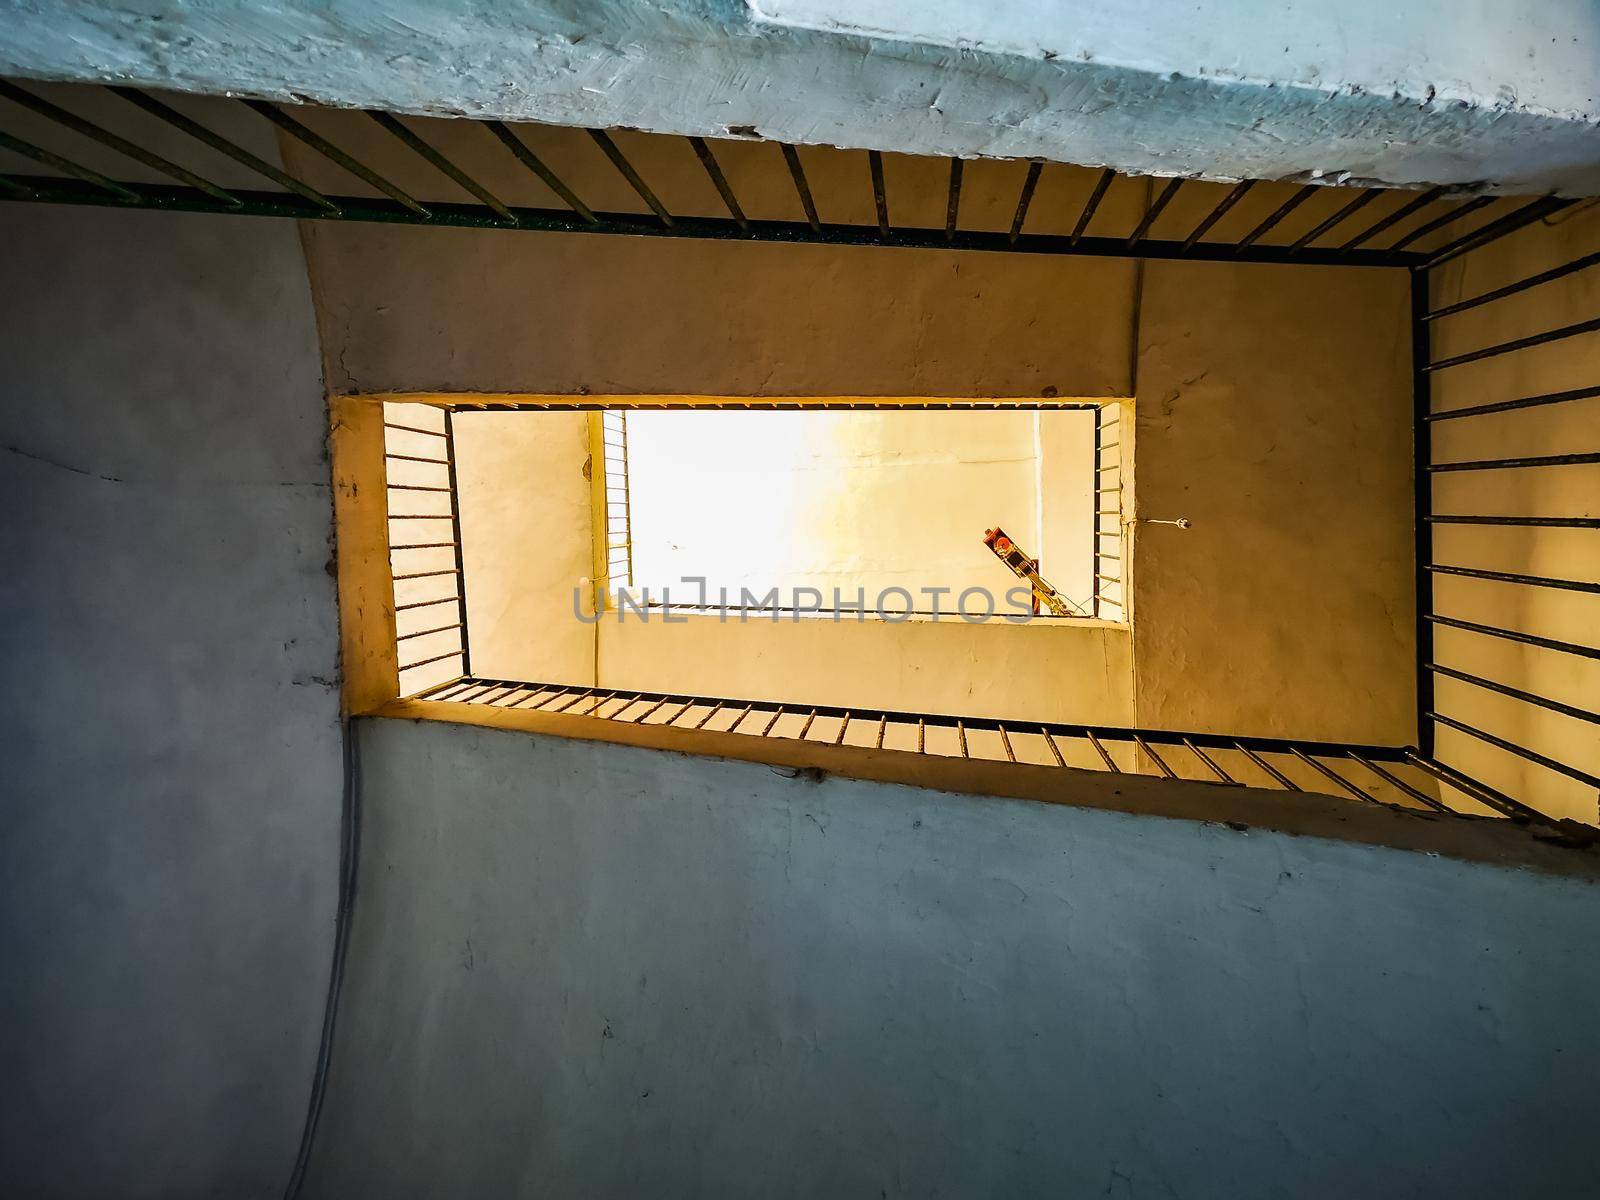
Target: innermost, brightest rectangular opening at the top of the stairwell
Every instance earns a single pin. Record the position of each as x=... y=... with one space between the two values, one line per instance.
x=857 y=514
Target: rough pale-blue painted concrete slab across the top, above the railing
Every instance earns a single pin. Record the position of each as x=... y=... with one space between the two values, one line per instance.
x=1409 y=95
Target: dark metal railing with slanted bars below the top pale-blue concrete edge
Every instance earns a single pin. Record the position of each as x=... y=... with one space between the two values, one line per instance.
x=73 y=183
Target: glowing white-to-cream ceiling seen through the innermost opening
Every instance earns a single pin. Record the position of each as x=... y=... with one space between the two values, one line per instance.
x=841 y=500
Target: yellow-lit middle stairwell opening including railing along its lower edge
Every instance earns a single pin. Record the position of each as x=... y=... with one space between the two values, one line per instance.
x=556 y=530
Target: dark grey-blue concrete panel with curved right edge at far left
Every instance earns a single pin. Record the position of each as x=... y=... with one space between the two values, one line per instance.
x=172 y=774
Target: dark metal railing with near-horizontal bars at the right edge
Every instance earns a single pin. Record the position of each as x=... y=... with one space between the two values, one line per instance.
x=1545 y=745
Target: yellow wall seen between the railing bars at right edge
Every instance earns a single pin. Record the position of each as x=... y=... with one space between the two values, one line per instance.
x=1542 y=492
